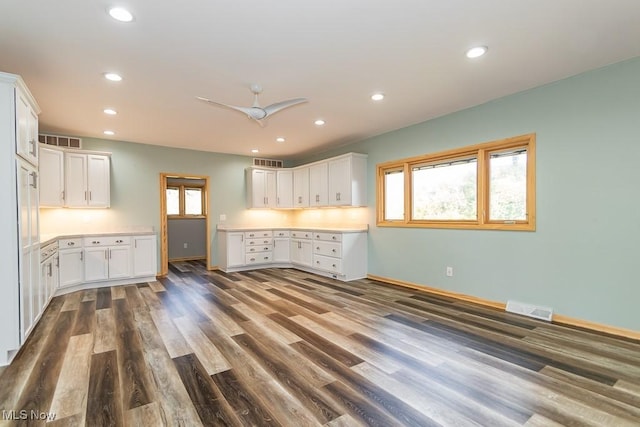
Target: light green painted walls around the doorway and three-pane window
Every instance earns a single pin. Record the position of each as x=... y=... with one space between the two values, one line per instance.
x=582 y=258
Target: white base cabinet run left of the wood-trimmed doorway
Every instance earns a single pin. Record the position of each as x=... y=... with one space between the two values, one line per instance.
x=106 y=260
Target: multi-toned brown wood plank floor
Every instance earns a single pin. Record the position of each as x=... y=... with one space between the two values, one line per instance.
x=288 y=348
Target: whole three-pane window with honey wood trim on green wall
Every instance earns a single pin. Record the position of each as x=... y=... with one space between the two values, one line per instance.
x=484 y=186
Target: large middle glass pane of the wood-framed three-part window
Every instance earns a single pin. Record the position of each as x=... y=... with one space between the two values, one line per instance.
x=446 y=191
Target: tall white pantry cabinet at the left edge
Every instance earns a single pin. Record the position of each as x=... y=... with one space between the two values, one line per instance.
x=21 y=301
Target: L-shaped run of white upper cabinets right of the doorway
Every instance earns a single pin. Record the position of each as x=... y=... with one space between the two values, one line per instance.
x=337 y=181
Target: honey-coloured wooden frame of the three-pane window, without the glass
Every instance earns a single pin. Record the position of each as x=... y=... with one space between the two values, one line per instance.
x=482 y=152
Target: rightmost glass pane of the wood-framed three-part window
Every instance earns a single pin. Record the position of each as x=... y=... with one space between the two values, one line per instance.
x=508 y=186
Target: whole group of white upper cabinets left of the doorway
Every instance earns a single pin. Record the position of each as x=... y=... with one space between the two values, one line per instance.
x=74 y=178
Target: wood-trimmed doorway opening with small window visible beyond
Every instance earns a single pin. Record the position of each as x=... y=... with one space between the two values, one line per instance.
x=184 y=219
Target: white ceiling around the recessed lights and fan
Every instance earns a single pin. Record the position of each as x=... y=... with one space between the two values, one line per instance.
x=336 y=53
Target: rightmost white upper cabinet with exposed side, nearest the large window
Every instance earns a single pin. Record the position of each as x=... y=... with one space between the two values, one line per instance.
x=348 y=180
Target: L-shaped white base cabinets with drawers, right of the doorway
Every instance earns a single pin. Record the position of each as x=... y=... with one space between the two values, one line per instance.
x=339 y=254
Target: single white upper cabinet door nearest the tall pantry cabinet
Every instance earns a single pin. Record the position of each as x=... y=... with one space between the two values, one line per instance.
x=51 y=177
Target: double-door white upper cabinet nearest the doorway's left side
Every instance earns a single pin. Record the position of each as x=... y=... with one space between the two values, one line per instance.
x=87 y=179
